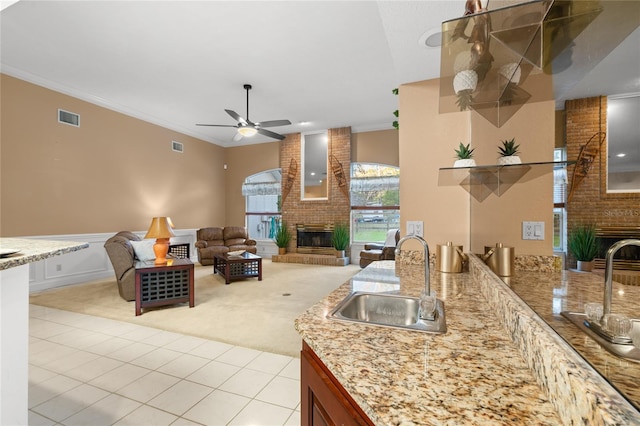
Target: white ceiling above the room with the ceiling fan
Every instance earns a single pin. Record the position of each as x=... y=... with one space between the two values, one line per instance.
x=177 y=63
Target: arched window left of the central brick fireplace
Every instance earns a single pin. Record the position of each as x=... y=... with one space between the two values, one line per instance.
x=263 y=201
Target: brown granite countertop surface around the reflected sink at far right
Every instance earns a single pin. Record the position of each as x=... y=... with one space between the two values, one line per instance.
x=550 y=294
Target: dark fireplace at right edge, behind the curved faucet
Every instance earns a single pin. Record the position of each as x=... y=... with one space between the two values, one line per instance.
x=628 y=258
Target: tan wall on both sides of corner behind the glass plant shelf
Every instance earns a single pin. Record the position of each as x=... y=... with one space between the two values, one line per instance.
x=427 y=142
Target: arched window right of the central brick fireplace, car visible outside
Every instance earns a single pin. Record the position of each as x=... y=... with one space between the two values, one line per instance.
x=375 y=201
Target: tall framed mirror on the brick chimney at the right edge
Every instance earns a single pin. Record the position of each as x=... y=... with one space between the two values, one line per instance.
x=623 y=143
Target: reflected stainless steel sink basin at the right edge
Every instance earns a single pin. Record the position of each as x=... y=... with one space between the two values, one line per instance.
x=620 y=346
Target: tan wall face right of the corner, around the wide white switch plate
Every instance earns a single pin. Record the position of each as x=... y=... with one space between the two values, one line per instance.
x=499 y=219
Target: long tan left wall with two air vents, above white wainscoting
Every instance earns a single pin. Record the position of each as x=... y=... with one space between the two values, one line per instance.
x=112 y=173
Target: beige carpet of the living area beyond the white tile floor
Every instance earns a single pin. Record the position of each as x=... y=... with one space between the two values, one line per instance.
x=250 y=313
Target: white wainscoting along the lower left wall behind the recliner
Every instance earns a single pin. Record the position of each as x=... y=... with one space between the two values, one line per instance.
x=89 y=264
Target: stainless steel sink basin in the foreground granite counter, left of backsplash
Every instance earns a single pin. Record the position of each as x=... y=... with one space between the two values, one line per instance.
x=388 y=310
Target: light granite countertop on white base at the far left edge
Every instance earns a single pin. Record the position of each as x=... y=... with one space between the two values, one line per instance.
x=28 y=250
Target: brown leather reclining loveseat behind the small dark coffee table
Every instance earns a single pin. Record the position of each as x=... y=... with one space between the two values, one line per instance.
x=217 y=240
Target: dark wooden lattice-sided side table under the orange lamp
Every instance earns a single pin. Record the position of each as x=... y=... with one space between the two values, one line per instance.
x=159 y=285
